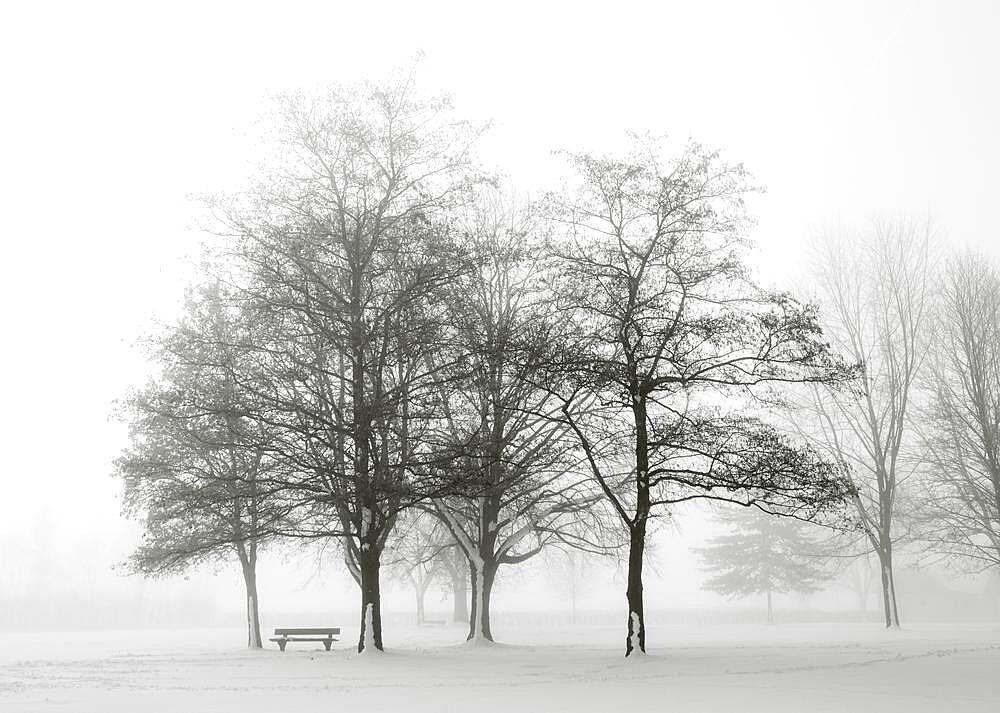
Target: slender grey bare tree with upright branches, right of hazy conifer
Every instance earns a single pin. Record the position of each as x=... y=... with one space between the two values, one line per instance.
x=875 y=290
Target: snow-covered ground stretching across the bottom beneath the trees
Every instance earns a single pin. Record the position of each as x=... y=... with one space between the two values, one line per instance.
x=801 y=668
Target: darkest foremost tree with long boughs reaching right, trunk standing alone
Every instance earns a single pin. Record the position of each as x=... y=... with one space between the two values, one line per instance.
x=671 y=345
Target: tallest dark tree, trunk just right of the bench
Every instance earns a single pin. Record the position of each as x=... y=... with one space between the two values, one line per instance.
x=346 y=250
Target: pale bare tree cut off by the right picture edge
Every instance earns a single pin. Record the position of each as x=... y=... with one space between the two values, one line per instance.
x=960 y=509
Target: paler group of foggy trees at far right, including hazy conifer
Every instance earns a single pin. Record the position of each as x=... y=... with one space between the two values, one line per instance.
x=917 y=431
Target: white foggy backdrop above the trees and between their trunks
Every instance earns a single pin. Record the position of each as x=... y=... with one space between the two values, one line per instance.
x=118 y=115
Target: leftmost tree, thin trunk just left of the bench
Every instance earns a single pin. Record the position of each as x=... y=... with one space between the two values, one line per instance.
x=197 y=471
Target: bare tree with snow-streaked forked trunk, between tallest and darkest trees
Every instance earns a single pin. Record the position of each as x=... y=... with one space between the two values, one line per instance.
x=523 y=489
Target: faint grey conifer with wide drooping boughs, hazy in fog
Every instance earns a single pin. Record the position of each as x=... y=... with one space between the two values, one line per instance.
x=762 y=554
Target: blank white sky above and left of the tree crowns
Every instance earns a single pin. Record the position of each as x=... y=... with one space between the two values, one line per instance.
x=112 y=114
